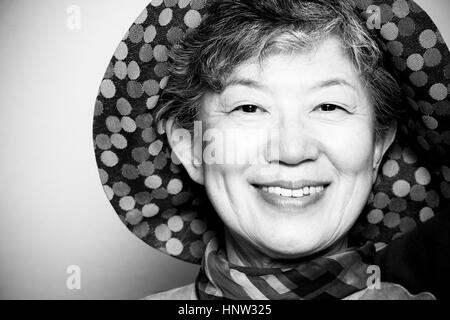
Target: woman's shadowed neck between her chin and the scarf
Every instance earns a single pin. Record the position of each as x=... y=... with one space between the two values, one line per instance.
x=242 y=253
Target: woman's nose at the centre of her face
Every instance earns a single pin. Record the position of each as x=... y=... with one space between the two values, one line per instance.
x=294 y=142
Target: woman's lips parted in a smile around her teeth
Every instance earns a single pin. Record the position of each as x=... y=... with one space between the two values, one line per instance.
x=291 y=204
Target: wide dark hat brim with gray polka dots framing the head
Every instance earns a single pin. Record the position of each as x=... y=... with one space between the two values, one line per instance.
x=153 y=195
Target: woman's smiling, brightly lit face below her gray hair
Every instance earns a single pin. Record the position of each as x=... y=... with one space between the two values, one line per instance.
x=306 y=196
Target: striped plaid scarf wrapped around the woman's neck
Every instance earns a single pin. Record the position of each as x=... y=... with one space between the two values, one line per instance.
x=331 y=277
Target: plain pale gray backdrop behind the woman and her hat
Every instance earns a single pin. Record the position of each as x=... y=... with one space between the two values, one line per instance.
x=53 y=212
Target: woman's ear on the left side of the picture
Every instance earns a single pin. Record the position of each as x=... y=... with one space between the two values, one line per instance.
x=181 y=142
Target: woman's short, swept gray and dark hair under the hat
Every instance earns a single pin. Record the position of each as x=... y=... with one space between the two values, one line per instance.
x=234 y=31
